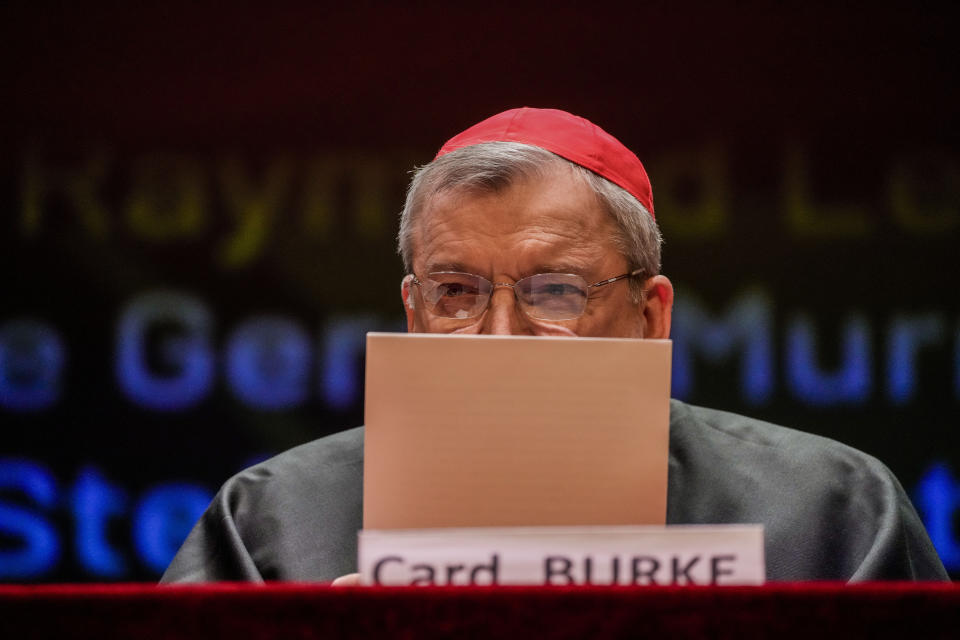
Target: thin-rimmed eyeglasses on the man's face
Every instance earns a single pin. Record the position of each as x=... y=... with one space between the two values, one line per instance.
x=544 y=296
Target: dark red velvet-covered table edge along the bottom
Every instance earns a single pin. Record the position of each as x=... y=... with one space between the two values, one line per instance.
x=317 y=611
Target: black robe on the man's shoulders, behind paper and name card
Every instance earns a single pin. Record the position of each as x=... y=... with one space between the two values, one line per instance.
x=830 y=512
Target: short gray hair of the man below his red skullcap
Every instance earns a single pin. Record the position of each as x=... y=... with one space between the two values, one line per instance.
x=493 y=166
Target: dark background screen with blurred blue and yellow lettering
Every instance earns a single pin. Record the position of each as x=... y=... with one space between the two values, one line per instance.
x=804 y=160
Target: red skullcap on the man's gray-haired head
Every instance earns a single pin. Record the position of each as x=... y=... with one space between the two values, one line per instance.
x=569 y=136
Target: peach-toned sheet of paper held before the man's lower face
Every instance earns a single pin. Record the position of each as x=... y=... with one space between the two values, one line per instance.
x=465 y=431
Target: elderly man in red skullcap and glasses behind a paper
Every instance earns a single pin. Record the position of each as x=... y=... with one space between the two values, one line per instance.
x=537 y=222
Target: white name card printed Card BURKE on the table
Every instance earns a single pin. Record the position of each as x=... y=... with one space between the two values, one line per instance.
x=627 y=555
